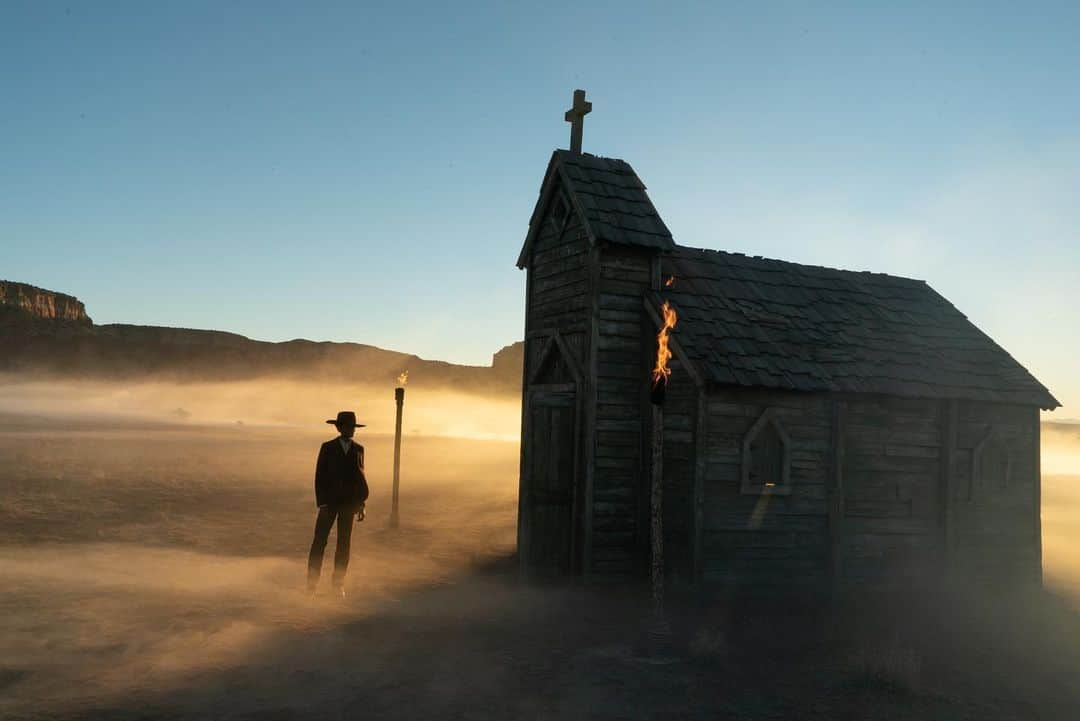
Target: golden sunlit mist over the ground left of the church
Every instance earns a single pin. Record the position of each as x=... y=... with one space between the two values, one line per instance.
x=143 y=549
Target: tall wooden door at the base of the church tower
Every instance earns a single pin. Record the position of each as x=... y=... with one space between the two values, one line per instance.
x=550 y=459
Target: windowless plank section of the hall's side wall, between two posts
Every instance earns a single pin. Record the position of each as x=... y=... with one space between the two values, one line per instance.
x=893 y=519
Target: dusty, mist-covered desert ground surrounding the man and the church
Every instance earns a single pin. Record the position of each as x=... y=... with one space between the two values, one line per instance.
x=153 y=567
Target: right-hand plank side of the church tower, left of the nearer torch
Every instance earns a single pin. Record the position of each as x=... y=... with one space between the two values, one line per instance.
x=620 y=532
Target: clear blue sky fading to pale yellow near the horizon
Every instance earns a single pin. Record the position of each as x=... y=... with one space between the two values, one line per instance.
x=366 y=172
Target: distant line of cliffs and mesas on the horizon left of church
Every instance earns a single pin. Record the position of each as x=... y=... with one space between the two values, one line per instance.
x=46 y=334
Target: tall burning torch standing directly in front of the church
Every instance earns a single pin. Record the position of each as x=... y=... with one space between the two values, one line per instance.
x=660 y=374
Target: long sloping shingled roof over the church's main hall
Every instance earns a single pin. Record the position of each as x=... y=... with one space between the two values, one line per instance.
x=755 y=322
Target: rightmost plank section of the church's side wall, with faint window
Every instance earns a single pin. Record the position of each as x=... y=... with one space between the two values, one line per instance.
x=994 y=514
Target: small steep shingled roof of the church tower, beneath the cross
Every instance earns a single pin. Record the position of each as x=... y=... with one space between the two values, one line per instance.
x=610 y=199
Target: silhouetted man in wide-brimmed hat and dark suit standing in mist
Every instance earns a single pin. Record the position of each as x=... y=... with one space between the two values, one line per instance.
x=341 y=492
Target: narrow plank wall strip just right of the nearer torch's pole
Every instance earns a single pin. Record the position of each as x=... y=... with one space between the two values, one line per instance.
x=681 y=426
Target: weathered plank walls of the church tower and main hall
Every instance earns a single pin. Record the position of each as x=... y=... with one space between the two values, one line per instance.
x=899 y=483
